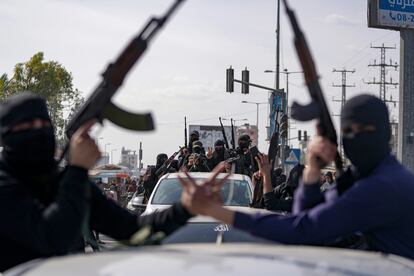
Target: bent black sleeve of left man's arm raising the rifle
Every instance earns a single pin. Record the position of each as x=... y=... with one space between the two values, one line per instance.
x=48 y=231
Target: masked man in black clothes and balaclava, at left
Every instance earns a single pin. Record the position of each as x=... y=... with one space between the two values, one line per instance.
x=45 y=212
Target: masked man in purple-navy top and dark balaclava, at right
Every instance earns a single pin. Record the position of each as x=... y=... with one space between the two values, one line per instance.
x=375 y=196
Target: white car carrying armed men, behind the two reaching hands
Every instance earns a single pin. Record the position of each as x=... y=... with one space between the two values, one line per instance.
x=237 y=191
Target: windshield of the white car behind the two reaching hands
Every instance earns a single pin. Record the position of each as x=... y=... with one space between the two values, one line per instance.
x=233 y=192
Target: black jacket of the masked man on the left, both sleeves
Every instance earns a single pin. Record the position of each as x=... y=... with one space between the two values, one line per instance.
x=34 y=228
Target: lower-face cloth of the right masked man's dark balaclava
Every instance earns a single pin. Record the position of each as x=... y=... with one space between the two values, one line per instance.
x=366 y=150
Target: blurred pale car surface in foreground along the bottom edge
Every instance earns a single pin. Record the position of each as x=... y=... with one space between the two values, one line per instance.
x=234 y=259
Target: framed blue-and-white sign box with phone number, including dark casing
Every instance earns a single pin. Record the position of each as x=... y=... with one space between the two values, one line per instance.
x=391 y=14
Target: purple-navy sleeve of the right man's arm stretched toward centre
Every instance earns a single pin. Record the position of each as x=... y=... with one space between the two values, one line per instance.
x=355 y=210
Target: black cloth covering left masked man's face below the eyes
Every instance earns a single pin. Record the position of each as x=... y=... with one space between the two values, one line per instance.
x=30 y=153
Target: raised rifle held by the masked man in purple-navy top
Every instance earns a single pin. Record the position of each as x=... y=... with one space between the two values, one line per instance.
x=317 y=109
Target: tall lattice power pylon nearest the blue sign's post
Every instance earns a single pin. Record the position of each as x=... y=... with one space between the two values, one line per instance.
x=383 y=83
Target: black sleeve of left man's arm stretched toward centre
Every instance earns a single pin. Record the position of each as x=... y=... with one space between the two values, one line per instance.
x=112 y=220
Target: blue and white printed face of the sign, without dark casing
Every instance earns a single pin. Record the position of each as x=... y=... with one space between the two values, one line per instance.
x=396 y=13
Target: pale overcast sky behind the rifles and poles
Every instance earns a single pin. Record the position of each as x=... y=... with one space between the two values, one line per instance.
x=183 y=72
